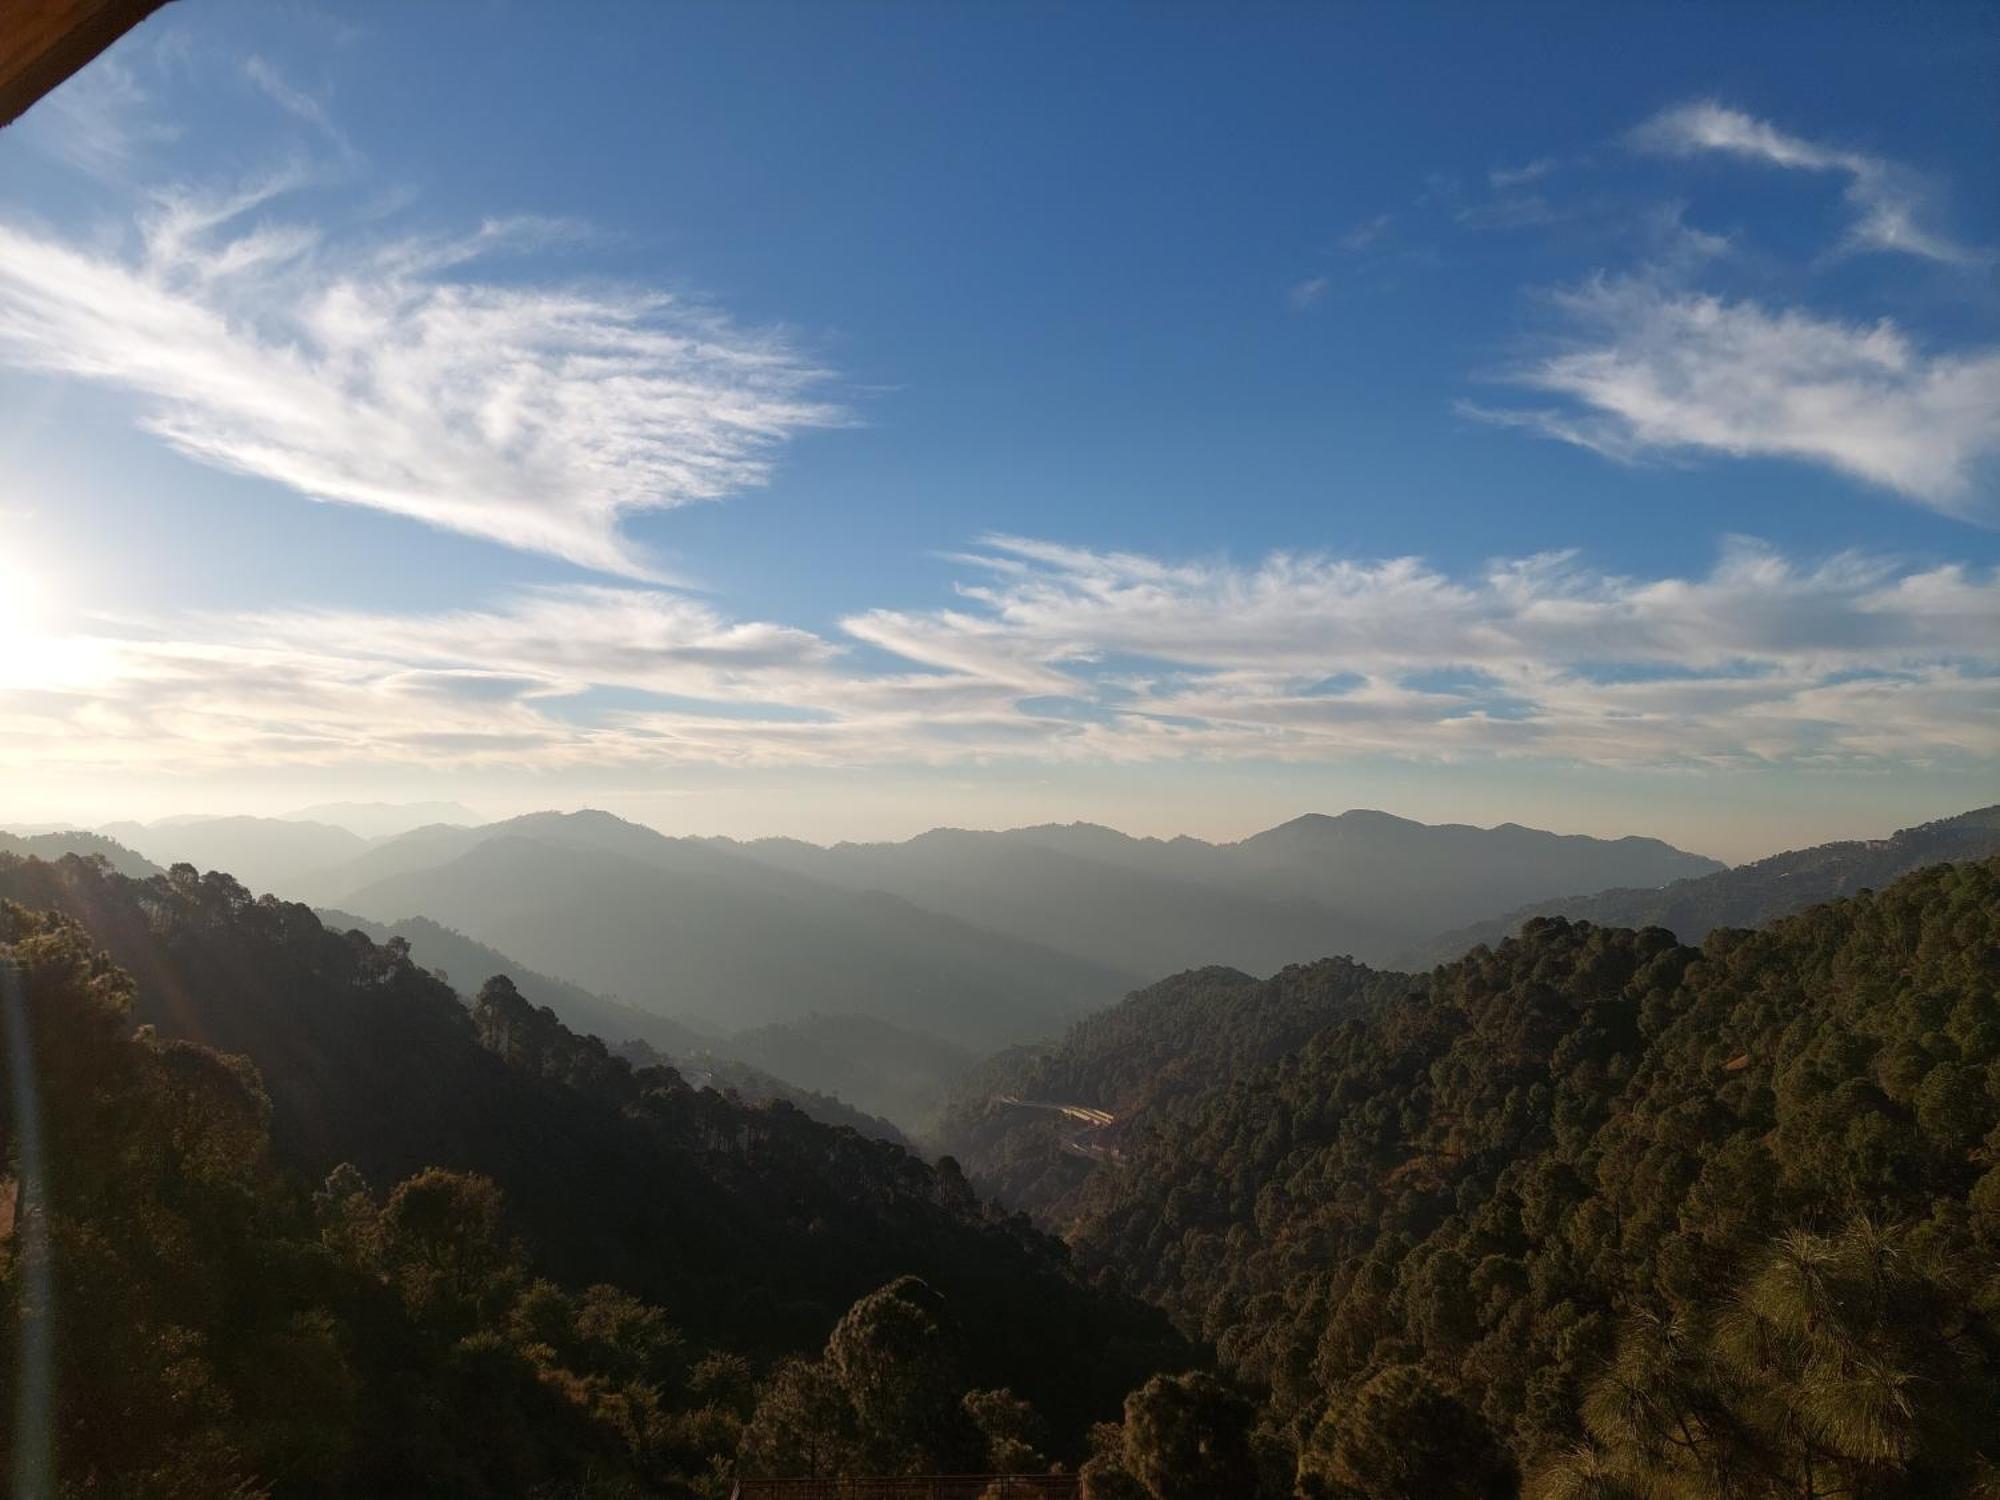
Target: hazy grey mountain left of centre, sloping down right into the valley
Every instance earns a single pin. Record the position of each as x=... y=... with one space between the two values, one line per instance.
x=695 y=931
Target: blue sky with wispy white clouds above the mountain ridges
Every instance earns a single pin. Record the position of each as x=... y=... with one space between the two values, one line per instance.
x=851 y=419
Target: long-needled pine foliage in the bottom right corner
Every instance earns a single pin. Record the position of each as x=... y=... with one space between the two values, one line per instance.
x=1853 y=1363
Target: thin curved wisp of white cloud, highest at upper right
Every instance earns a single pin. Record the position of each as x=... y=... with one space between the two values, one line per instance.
x=1887 y=201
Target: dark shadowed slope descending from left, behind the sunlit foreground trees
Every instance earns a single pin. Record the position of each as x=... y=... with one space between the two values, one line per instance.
x=753 y=1225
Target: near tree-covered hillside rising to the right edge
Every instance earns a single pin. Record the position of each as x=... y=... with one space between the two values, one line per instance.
x=1611 y=1217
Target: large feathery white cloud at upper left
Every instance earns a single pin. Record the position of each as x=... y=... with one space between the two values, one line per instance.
x=383 y=375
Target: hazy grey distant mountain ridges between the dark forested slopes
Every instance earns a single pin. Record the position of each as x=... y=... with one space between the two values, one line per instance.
x=969 y=937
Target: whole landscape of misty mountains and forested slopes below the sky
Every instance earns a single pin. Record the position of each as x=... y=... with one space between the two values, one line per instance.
x=1673 y=1181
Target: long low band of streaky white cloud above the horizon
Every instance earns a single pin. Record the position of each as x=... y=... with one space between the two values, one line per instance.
x=1071 y=655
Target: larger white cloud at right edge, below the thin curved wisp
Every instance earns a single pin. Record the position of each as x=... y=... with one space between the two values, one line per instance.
x=1657 y=371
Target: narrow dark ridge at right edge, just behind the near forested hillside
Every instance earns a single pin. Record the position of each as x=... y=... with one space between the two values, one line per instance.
x=1749 y=895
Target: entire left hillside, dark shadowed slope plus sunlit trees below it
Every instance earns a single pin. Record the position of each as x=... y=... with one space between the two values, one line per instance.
x=325 y=1229
